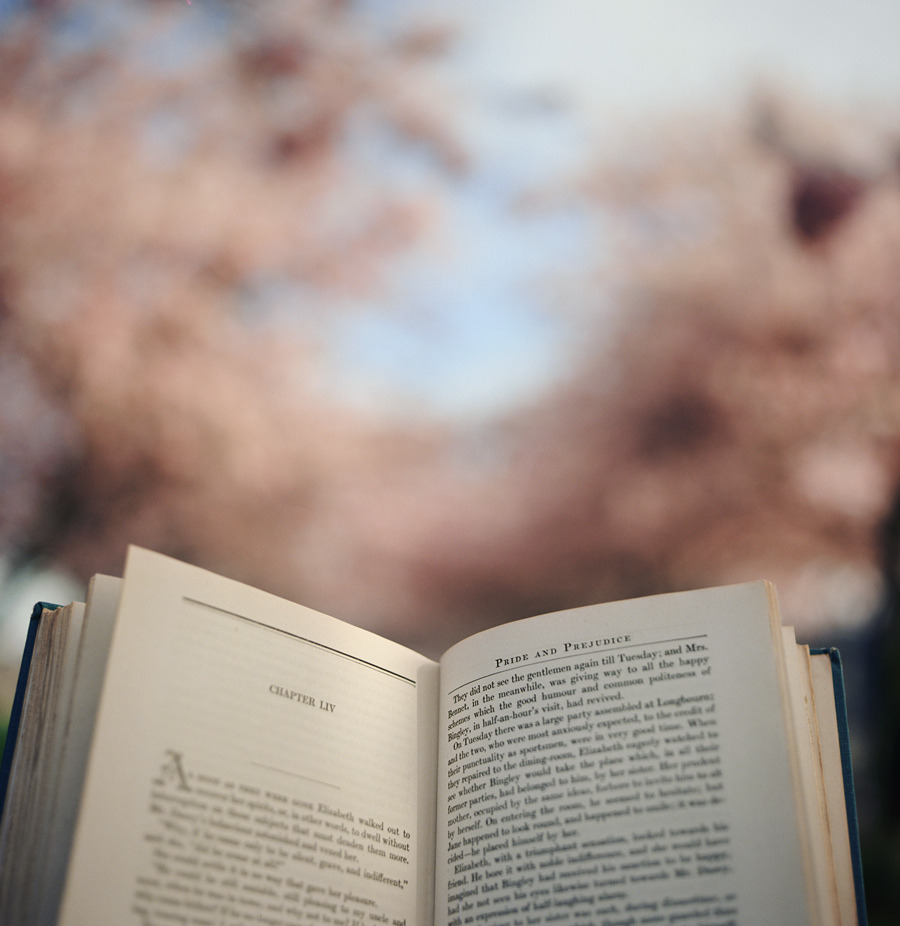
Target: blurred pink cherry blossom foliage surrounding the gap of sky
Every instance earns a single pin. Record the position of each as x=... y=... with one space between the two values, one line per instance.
x=185 y=195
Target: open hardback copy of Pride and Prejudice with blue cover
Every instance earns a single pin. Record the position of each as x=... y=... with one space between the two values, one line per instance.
x=192 y=750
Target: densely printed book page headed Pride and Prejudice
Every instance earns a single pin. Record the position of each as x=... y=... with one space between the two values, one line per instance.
x=623 y=763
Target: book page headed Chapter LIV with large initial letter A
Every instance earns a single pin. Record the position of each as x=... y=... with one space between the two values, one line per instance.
x=253 y=762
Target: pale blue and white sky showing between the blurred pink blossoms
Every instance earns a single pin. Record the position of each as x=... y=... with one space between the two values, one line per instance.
x=543 y=85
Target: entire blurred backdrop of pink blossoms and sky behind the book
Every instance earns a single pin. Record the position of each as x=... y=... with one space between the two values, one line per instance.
x=432 y=316
